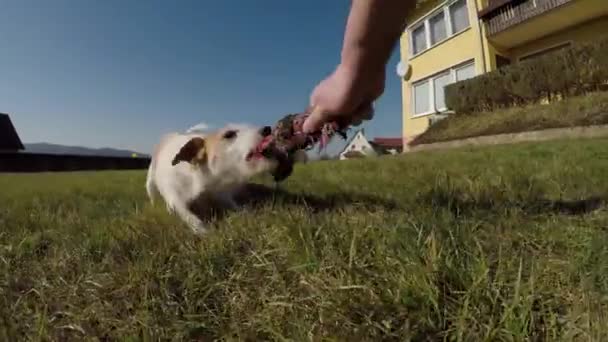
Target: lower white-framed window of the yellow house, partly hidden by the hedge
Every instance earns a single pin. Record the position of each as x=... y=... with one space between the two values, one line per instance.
x=429 y=94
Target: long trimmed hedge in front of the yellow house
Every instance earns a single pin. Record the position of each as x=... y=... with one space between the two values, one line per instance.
x=570 y=72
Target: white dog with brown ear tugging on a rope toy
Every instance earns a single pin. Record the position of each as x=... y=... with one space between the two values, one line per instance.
x=192 y=170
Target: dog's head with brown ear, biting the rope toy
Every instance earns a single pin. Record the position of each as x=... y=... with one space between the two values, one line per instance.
x=230 y=154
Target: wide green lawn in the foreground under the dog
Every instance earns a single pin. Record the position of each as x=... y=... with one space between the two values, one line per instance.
x=484 y=244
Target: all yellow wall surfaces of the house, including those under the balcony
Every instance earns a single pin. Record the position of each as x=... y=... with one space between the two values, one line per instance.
x=473 y=45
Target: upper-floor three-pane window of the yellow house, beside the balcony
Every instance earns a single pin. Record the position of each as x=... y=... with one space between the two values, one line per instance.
x=449 y=20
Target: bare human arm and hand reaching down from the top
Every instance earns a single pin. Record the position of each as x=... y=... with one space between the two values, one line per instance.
x=372 y=29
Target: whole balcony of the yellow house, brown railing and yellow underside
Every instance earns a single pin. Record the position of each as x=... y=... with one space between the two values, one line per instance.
x=510 y=23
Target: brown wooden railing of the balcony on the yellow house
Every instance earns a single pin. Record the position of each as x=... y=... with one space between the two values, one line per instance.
x=511 y=13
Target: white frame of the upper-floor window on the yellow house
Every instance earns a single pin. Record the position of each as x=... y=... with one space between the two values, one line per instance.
x=442 y=9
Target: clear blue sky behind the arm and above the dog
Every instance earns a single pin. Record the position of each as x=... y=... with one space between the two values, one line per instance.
x=118 y=73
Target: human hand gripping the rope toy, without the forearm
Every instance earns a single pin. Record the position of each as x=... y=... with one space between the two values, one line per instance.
x=346 y=96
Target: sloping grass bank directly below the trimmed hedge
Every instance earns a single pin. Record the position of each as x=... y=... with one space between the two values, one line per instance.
x=577 y=111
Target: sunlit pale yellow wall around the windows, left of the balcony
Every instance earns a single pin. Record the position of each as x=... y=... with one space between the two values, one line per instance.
x=463 y=47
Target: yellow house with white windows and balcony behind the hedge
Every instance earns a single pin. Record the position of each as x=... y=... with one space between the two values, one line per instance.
x=449 y=41
